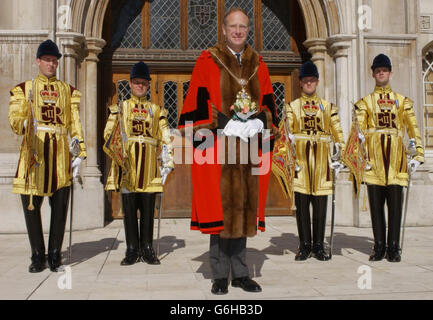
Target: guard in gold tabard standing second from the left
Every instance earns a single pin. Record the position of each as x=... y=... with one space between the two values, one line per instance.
x=135 y=129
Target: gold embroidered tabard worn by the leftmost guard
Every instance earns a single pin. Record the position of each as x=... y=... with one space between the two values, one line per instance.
x=56 y=112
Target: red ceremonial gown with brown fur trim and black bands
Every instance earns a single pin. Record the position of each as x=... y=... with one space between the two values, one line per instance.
x=227 y=204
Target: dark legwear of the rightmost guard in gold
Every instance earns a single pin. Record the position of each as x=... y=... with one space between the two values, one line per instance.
x=393 y=196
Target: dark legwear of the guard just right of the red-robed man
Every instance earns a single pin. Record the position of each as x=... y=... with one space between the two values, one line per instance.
x=302 y=202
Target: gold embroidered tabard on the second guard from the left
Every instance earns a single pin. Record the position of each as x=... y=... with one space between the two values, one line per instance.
x=146 y=129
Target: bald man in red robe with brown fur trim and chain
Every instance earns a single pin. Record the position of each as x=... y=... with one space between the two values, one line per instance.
x=229 y=196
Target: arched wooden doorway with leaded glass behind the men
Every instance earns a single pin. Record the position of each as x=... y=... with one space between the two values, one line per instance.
x=169 y=35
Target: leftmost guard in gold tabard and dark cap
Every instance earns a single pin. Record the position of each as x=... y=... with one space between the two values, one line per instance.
x=46 y=110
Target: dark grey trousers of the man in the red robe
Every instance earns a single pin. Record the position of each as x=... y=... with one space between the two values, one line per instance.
x=226 y=255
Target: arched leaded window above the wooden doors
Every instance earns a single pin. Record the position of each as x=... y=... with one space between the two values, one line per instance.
x=192 y=25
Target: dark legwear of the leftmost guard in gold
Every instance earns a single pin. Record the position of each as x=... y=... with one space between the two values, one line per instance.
x=59 y=211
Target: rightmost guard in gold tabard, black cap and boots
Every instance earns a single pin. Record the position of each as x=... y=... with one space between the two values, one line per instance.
x=383 y=117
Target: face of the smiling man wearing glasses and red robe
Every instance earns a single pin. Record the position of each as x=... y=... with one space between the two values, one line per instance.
x=236 y=30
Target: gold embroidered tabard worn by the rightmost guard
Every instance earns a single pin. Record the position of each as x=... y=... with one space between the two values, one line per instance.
x=383 y=118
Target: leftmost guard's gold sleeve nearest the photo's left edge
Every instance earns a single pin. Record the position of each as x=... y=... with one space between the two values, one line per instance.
x=18 y=107
